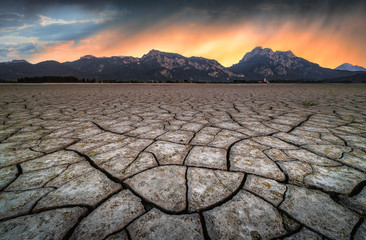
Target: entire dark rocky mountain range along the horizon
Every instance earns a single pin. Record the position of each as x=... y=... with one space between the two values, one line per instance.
x=162 y=66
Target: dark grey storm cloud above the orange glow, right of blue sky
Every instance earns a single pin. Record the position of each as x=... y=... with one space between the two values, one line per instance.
x=143 y=14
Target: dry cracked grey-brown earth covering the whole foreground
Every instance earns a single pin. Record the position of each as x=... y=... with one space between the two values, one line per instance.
x=182 y=161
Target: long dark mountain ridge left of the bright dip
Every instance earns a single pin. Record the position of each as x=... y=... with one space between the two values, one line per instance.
x=153 y=66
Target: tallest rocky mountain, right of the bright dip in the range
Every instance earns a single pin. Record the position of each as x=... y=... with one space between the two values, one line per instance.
x=264 y=63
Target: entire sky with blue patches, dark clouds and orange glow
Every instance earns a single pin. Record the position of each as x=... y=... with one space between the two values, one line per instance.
x=327 y=32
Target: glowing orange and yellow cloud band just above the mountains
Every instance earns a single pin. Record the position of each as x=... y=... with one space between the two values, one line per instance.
x=329 y=47
